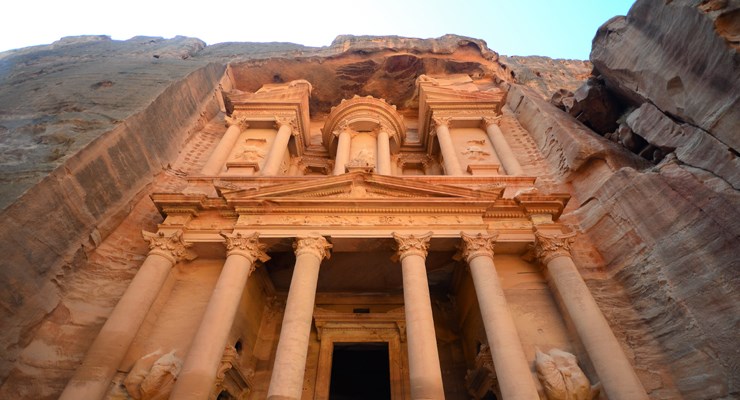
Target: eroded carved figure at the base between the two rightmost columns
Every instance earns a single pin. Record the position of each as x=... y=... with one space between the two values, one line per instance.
x=562 y=378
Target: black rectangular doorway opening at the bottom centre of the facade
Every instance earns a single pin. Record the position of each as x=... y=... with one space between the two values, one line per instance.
x=360 y=371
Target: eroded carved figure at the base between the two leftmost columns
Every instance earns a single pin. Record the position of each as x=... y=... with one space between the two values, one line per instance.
x=152 y=376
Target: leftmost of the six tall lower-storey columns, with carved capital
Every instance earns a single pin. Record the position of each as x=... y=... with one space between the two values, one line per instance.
x=92 y=379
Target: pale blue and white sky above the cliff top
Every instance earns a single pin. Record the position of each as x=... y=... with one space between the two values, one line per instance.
x=553 y=28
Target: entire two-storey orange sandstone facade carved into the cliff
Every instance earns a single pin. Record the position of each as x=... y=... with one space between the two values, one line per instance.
x=371 y=252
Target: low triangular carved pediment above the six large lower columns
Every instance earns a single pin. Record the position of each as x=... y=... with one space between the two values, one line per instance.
x=359 y=186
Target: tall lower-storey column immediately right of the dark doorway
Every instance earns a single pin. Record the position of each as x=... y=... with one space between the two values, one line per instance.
x=424 y=369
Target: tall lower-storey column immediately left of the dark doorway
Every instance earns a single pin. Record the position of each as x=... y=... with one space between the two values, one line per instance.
x=286 y=382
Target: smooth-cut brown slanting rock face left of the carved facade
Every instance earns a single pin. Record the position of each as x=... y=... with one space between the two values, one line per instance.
x=47 y=232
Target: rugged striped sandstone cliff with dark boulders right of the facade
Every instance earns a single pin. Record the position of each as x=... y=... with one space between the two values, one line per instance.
x=659 y=242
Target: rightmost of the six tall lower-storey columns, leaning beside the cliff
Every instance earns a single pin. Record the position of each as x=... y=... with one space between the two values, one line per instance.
x=614 y=369
